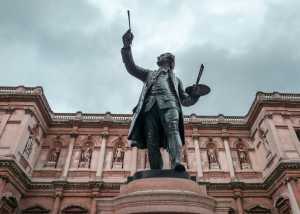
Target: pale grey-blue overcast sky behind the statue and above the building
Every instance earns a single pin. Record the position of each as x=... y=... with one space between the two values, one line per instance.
x=72 y=49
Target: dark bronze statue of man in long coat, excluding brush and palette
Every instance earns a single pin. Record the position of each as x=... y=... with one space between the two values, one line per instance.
x=157 y=119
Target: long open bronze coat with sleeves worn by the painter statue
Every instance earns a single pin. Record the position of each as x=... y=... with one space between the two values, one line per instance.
x=137 y=133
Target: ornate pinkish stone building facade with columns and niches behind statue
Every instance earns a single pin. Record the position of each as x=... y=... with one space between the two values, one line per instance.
x=73 y=162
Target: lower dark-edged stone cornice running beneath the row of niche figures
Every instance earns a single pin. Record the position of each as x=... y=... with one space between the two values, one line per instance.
x=12 y=168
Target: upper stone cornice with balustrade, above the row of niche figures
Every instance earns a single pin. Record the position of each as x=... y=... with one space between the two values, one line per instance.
x=36 y=94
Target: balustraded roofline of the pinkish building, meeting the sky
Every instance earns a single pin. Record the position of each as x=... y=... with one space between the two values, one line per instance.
x=37 y=94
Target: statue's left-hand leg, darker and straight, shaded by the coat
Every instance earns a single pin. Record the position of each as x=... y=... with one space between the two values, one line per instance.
x=153 y=130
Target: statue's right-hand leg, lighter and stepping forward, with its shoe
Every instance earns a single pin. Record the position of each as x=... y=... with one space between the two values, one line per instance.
x=170 y=119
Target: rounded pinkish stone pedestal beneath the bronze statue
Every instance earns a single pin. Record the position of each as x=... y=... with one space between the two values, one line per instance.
x=159 y=195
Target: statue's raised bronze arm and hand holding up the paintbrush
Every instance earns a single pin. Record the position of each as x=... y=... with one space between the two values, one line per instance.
x=131 y=67
